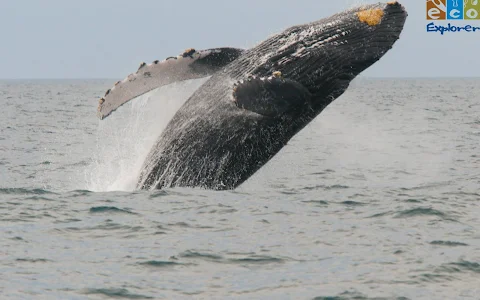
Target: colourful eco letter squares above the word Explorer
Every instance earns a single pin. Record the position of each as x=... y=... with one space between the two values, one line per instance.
x=453 y=10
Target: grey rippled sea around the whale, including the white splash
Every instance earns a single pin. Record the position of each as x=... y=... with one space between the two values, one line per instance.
x=378 y=198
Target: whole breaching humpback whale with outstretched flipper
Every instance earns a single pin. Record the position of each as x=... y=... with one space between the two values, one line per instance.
x=257 y=99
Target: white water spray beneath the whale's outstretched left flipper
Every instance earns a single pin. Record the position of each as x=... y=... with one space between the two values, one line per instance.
x=125 y=138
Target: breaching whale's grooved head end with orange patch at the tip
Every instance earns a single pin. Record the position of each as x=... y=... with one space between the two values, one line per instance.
x=326 y=55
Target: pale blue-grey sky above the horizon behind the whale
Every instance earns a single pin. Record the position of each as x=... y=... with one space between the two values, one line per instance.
x=108 y=39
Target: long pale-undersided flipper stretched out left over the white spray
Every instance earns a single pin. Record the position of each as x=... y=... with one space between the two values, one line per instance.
x=191 y=64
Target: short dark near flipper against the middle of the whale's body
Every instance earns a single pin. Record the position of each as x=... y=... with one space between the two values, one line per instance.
x=271 y=96
